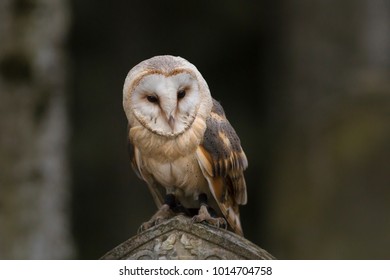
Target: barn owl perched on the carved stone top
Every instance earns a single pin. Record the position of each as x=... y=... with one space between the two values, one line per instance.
x=182 y=145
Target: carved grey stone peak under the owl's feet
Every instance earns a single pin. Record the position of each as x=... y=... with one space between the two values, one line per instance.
x=179 y=238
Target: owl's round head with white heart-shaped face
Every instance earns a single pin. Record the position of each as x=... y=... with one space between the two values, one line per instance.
x=165 y=94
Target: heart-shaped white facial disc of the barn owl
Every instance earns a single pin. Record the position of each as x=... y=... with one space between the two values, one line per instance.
x=166 y=105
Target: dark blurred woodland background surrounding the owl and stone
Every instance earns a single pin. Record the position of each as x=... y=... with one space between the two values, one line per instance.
x=305 y=84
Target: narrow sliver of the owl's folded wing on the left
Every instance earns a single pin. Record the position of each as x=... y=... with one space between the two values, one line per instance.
x=136 y=162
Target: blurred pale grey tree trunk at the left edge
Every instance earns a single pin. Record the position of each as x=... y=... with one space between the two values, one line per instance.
x=34 y=217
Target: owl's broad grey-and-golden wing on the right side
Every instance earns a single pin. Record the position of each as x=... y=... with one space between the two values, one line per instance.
x=223 y=161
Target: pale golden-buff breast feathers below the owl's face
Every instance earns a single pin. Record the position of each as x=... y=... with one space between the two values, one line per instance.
x=169 y=162
